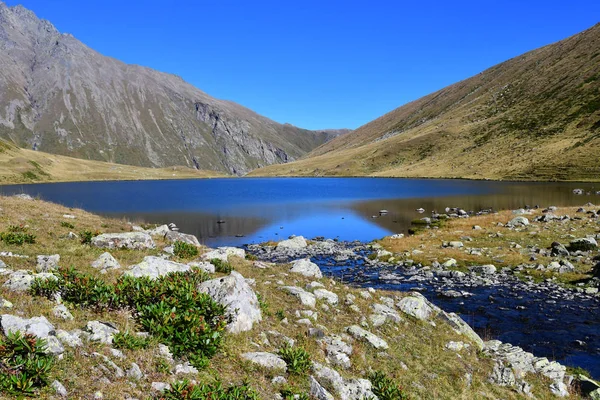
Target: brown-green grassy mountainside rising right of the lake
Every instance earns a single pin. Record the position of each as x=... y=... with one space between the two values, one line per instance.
x=536 y=116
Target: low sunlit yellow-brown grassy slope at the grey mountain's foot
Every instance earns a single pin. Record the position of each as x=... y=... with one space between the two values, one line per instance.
x=27 y=166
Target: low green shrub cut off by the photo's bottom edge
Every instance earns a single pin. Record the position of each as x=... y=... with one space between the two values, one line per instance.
x=185 y=390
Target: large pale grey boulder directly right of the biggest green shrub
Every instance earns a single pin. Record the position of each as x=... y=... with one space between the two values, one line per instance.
x=234 y=292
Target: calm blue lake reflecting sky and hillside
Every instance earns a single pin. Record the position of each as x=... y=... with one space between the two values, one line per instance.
x=261 y=209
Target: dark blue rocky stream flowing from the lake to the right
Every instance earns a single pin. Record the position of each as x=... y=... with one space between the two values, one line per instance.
x=545 y=318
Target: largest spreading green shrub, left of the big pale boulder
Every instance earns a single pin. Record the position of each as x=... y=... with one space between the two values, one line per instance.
x=170 y=307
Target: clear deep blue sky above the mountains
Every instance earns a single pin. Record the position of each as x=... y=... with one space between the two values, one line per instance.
x=318 y=63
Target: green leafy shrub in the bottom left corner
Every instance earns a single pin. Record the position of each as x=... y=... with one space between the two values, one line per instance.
x=25 y=366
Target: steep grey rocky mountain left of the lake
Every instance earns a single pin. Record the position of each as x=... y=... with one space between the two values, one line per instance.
x=59 y=96
